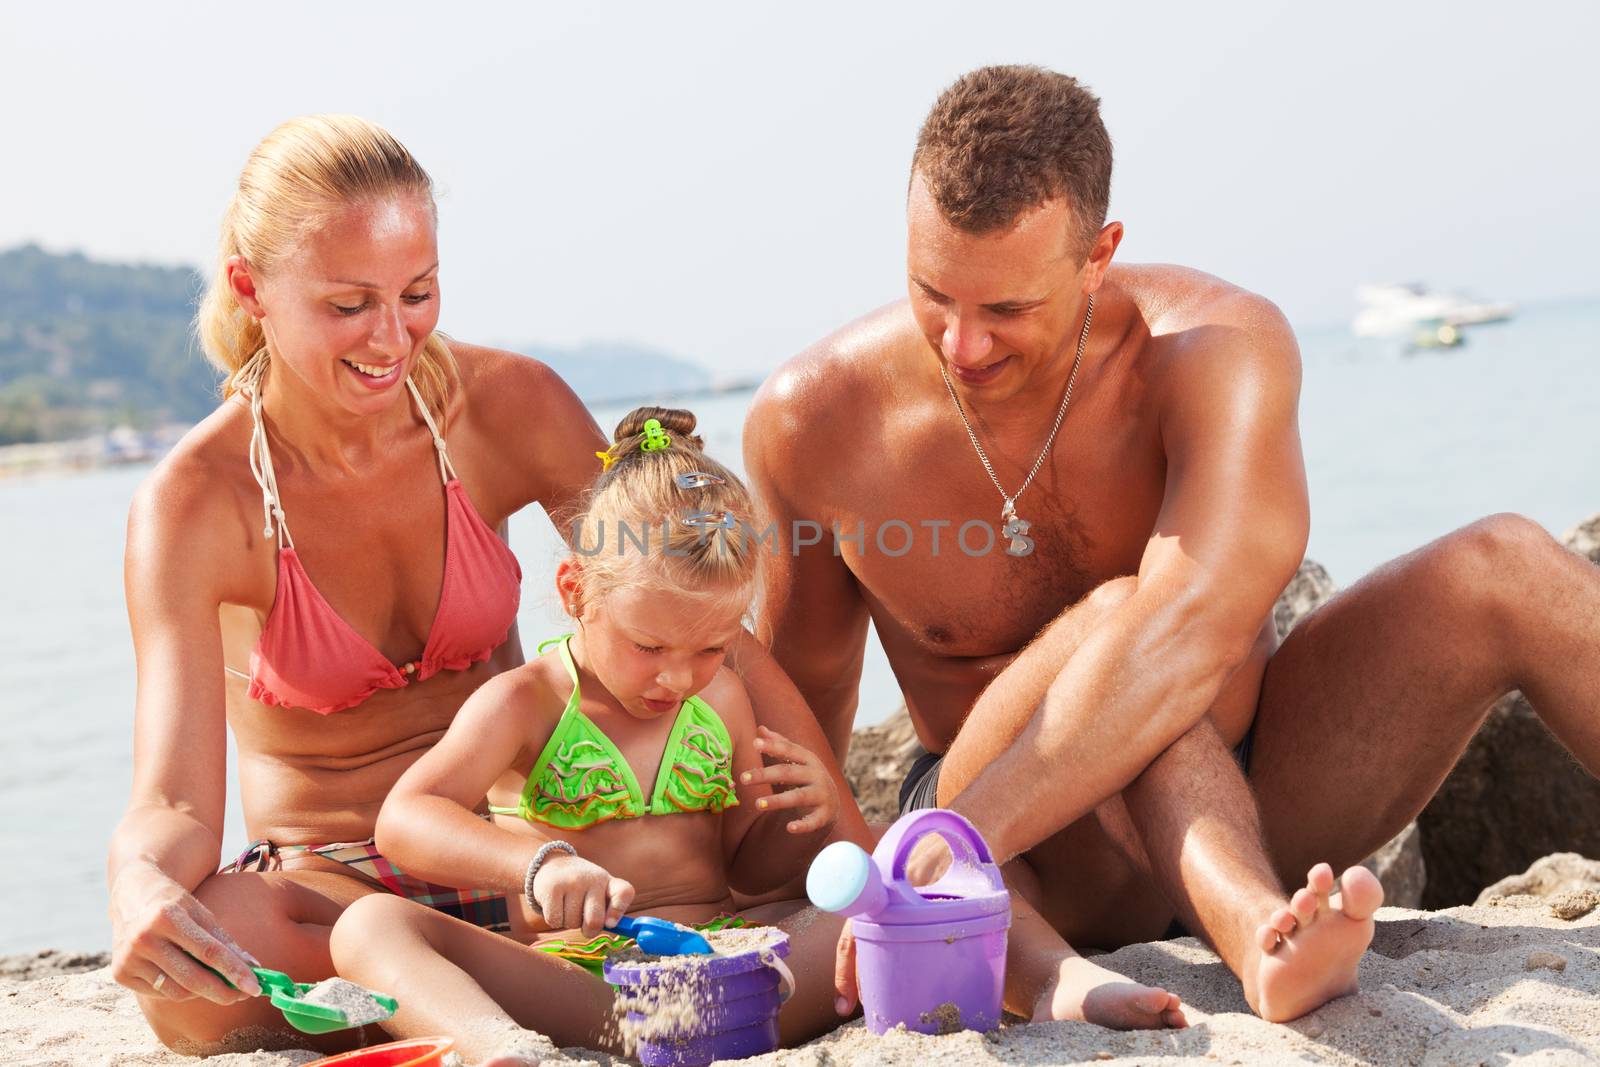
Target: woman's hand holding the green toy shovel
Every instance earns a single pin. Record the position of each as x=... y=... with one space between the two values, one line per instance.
x=162 y=935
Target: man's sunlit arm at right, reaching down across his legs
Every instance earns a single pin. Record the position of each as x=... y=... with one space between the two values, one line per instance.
x=1230 y=535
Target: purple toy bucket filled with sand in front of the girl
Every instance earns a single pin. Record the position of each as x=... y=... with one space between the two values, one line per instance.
x=738 y=1001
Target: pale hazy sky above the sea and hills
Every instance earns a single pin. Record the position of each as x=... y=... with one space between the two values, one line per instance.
x=727 y=182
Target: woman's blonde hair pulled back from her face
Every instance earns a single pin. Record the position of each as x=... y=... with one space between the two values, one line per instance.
x=294 y=180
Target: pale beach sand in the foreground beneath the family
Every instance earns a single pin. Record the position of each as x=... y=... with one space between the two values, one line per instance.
x=1506 y=983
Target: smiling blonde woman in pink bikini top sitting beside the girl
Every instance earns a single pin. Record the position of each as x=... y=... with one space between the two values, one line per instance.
x=321 y=565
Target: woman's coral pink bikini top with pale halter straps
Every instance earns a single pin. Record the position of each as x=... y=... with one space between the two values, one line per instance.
x=310 y=657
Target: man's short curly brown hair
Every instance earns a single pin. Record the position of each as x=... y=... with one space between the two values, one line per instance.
x=1006 y=140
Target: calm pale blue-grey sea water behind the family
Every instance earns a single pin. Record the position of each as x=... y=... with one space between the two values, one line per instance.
x=1399 y=450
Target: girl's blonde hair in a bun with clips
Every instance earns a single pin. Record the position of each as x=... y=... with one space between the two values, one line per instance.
x=668 y=518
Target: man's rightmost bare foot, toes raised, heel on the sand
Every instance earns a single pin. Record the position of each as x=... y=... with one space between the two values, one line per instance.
x=1308 y=954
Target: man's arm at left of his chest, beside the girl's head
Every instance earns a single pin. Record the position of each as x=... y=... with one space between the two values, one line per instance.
x=812 y=612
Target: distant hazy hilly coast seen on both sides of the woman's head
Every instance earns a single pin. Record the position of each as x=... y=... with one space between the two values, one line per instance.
x=86 y=346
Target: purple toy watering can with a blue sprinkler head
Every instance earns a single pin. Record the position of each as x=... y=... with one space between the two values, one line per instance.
x=932 y=959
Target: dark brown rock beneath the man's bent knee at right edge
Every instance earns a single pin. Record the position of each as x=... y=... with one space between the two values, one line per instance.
x=1514 y=797
